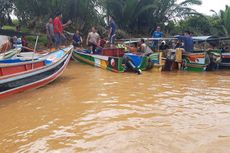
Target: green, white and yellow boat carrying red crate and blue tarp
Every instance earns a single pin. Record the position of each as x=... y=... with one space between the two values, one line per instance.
x=110 y=61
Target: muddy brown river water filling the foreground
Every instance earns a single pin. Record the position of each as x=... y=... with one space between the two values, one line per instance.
x=93 y=110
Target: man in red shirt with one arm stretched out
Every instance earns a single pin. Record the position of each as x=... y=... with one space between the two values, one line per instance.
x=58 y=30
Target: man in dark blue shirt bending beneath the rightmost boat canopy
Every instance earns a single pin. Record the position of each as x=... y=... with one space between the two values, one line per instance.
x=187 y=40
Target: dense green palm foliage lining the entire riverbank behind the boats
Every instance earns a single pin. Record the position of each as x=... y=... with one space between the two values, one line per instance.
x=131 y=16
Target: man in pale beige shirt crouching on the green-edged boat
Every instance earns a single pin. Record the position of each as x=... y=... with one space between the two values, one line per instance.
x=92 y=39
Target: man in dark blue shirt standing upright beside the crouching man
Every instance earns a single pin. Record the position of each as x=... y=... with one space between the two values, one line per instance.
x=112 y=30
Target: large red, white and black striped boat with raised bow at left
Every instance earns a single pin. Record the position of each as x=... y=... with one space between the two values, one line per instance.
x=18 y=75
